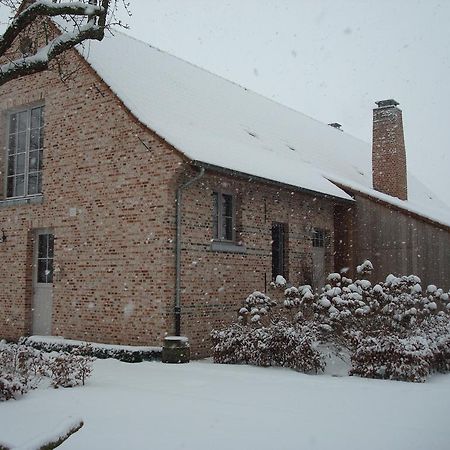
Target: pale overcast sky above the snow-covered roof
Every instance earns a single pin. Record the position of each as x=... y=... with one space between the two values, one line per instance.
x=330 y=59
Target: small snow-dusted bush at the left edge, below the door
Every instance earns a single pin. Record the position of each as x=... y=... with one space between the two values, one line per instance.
x=22 y=368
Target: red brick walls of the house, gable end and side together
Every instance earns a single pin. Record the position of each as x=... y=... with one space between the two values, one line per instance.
x=109 y=189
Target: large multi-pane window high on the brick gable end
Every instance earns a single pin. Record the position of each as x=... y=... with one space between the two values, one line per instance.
x=25 y=143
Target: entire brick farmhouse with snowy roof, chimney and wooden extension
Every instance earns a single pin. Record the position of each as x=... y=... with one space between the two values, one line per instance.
x=146 y=196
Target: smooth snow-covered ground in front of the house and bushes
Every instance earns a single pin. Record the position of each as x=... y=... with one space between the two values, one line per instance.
x=206 y=406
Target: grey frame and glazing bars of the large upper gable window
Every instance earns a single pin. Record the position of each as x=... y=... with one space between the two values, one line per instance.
x=6 y=154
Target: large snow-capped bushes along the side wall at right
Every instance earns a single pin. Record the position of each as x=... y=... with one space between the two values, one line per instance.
x=394 y=329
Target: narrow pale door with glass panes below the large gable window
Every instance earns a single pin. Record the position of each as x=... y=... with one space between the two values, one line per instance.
x=43 y=282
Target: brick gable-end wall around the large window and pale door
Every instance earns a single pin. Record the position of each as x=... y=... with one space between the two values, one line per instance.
x=107 y=197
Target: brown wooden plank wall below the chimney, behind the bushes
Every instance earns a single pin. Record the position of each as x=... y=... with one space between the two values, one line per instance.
x=398 y=243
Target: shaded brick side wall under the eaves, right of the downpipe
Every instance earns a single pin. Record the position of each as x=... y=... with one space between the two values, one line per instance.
x=215 y=283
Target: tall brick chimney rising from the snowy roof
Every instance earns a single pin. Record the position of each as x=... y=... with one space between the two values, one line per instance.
x=388 y=150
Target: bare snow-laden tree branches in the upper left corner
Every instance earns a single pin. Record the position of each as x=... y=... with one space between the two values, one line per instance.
x=39 y=40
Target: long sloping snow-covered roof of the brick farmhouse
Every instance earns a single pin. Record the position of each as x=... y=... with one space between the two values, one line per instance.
x=215 y=121
